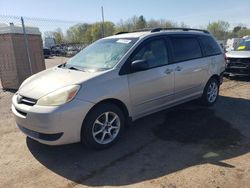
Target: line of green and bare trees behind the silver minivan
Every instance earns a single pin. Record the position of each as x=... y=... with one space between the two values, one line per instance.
x=86 y=33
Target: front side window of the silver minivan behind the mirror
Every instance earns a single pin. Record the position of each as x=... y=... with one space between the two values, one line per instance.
x=154 y=52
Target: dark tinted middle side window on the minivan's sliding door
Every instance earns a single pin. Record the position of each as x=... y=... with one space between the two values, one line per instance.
x=185 y=48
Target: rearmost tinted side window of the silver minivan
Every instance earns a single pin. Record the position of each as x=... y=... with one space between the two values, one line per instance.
x=210 y=46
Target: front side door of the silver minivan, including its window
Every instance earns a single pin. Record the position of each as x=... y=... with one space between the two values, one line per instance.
x=152 y=88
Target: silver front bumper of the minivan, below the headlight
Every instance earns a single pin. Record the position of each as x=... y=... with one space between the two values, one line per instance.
x=51 y=125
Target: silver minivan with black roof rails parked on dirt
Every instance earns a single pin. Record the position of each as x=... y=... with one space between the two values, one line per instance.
x=116 y=80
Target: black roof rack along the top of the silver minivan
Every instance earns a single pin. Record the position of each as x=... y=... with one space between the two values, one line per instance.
x=153 y=30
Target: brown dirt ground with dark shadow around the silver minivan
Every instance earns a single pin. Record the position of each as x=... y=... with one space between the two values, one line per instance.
x=188 y=146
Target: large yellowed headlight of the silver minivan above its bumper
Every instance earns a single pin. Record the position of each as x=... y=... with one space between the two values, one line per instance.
x=59 y=97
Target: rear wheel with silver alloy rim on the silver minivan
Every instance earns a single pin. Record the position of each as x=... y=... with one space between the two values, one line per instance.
x=211 y=92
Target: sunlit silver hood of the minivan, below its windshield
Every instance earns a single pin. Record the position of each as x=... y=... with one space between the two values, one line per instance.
x=52 y=79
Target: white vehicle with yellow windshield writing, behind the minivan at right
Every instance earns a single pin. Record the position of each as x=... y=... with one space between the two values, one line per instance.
x=238 y=60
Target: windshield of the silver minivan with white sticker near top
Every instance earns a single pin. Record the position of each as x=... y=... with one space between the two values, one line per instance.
x=103 y=54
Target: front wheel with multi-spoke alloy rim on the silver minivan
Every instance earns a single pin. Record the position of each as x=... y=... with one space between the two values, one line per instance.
x=103 y=126
